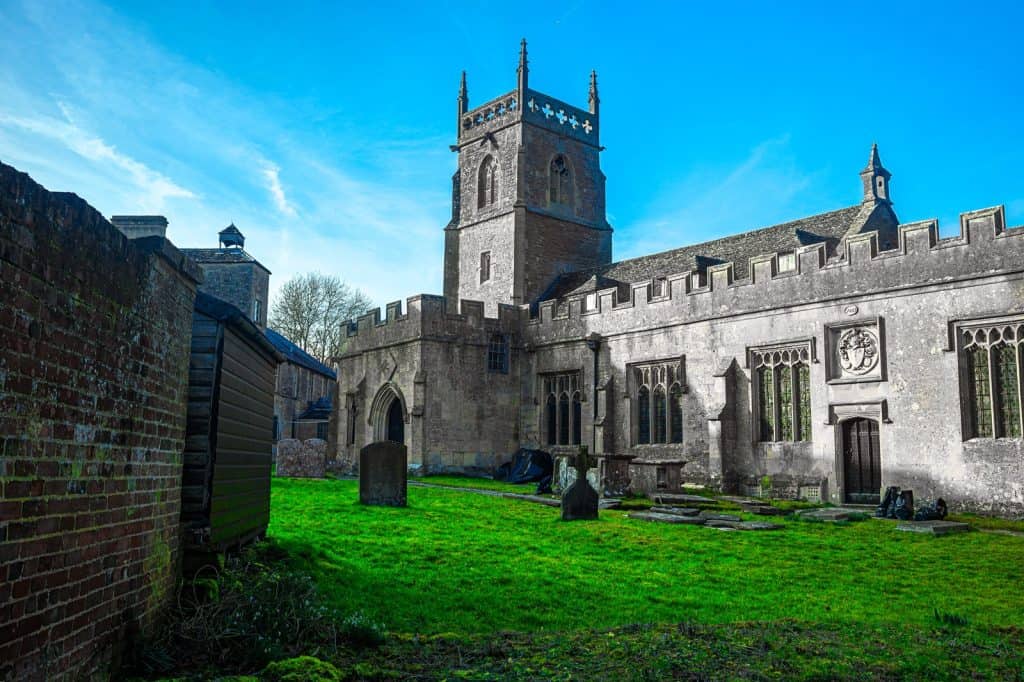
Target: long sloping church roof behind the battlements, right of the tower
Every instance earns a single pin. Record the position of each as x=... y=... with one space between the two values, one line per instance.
x=828 y=228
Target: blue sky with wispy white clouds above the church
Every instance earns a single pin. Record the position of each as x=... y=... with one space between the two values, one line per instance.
x=323 y=131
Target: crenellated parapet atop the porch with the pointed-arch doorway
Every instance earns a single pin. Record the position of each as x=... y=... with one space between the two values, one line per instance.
x=426 y=318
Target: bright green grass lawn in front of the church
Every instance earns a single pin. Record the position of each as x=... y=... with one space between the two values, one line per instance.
x=471 y=565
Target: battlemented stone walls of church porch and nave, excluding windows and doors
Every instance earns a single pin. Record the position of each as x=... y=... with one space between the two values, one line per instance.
x=914 y=296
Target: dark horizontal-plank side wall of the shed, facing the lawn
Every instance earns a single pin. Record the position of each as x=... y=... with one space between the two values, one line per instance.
x=240 y=506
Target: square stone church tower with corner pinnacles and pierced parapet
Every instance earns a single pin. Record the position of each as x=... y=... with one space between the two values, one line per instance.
x=529 y=197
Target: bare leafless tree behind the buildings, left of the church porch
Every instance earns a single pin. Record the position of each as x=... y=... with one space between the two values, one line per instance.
x=311 y=310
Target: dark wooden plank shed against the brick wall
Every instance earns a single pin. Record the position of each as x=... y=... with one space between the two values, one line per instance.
x=226 y=497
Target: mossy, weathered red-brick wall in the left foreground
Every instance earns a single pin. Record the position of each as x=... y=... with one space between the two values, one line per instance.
x=94 y=378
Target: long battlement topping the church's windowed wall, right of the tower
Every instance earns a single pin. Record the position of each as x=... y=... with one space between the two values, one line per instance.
x=985 y=247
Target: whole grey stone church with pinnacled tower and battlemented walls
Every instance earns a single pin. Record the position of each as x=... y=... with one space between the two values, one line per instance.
x=823 y=359
